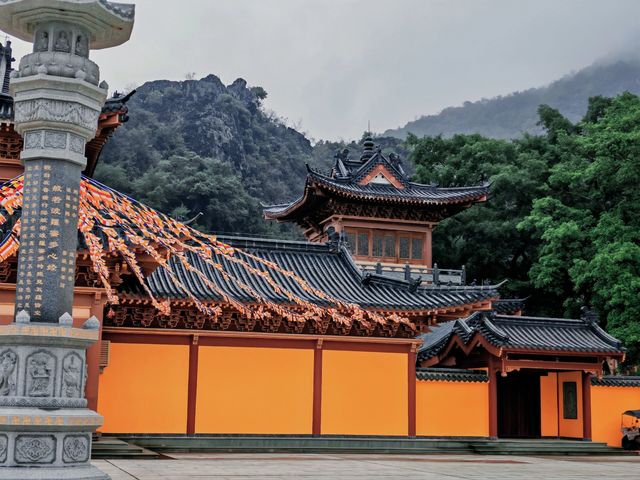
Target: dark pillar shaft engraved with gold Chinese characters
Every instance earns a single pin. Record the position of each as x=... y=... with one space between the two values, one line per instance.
x=48 y=240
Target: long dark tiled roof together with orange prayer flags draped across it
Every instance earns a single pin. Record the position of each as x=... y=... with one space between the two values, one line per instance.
x=256 y=278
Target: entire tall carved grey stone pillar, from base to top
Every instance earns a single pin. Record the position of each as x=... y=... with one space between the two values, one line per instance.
x=45 y=425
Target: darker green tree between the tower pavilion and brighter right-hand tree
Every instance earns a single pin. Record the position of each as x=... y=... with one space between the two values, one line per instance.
x=485 y=237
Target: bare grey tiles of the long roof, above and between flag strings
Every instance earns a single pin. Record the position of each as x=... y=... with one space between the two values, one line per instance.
x=322 y=266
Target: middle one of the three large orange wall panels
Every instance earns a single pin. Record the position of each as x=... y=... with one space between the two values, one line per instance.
x=254 y=390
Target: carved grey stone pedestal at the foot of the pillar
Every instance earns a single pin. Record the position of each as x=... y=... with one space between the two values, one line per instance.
x=45 y=427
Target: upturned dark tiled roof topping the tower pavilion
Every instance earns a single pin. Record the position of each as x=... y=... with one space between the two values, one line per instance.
x=376 y=180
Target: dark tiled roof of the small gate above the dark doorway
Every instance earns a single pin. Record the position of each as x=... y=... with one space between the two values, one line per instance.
x=505 y=333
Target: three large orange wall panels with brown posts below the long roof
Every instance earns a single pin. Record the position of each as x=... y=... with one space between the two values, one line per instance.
x=251 y=386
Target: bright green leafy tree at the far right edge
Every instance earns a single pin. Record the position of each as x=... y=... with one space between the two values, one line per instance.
x=589 y=223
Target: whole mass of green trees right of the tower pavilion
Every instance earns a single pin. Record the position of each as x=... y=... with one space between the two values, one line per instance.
x=563 y=221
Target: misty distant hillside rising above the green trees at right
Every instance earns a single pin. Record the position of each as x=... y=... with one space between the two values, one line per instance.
x=510 y=115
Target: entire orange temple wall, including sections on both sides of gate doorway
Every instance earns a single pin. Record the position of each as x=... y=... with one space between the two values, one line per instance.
x=272 y=389
